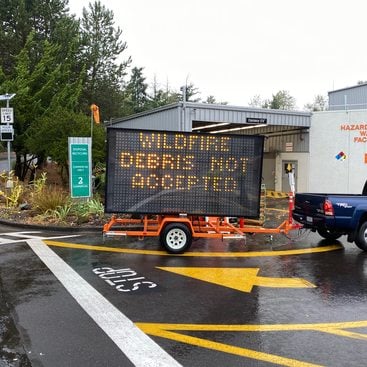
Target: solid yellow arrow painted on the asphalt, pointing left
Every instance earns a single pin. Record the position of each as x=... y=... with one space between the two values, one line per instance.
x=240 y=279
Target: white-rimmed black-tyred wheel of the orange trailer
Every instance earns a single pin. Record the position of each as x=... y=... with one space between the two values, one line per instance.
x=176 y=238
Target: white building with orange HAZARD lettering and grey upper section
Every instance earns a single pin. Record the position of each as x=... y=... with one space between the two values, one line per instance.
x=338 y=137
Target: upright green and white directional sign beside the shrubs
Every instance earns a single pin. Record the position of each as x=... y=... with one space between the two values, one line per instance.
x=80 y=167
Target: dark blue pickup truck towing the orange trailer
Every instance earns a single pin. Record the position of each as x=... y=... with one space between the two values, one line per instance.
x=334 y=215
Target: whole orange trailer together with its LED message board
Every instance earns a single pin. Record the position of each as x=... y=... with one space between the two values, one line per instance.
x=158 y=175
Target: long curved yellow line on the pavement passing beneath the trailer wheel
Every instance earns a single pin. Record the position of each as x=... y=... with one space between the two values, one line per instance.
x=311 y=250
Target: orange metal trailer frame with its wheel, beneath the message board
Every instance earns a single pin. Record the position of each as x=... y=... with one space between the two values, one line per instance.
x=195 y=227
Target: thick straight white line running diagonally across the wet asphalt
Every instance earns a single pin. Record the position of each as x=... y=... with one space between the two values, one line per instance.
x=135 y=344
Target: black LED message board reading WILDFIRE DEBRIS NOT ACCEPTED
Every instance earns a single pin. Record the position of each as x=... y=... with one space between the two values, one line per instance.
x=159 y=172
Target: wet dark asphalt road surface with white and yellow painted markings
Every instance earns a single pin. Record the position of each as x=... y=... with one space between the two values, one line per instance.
x=241 y=303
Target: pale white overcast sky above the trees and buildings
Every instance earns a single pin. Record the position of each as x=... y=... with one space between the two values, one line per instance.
x=235 y=49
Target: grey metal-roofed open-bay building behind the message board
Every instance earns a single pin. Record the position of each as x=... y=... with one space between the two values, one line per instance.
x=286 y=132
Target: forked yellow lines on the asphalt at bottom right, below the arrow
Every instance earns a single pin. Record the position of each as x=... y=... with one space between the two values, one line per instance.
x=171 y=332
